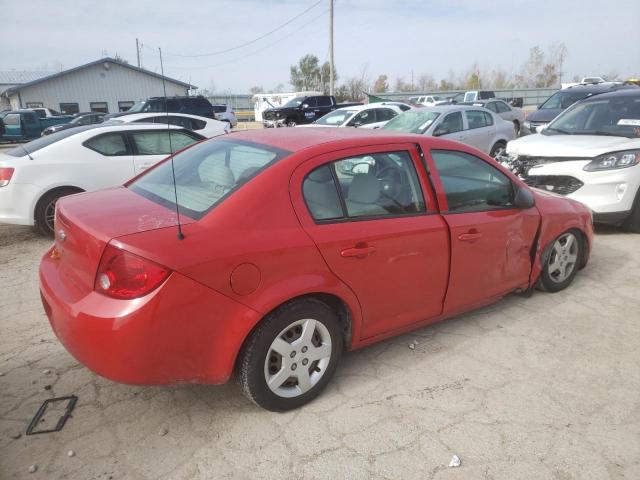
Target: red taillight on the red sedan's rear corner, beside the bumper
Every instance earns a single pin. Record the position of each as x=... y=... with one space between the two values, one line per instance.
x=123 y=275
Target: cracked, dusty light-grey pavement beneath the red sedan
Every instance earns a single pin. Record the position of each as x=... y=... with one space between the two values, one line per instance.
x=541 y=388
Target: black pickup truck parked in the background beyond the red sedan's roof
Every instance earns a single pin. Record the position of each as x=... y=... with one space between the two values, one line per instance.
x=301 y=110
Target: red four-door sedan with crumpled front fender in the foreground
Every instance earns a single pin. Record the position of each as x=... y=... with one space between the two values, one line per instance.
x=297 y=244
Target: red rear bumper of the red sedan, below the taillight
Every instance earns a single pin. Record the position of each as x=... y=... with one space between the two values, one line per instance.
x=183 y=332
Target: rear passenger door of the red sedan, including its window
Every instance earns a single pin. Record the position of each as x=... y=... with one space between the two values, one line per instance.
x=373 y=218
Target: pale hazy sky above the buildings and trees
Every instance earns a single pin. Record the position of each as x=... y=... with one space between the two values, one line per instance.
x=393 y=37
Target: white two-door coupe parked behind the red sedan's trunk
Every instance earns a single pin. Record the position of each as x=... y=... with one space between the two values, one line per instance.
x=33 y=176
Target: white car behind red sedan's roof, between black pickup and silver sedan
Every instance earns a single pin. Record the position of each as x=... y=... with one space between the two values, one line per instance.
x=373 y=115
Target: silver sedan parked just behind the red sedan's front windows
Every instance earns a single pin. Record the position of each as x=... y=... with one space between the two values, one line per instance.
x=475 y=126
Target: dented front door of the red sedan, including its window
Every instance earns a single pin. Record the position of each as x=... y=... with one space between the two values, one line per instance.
x=491 y=239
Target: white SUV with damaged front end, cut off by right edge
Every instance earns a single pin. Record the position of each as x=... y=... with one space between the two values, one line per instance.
x=590 y=153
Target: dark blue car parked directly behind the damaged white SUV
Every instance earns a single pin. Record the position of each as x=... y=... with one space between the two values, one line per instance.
x=563 y=99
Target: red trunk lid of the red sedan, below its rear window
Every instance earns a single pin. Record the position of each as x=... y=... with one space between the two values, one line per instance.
x=85 y=223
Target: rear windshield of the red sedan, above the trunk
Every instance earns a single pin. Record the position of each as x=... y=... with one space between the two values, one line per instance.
x=205 y=174
